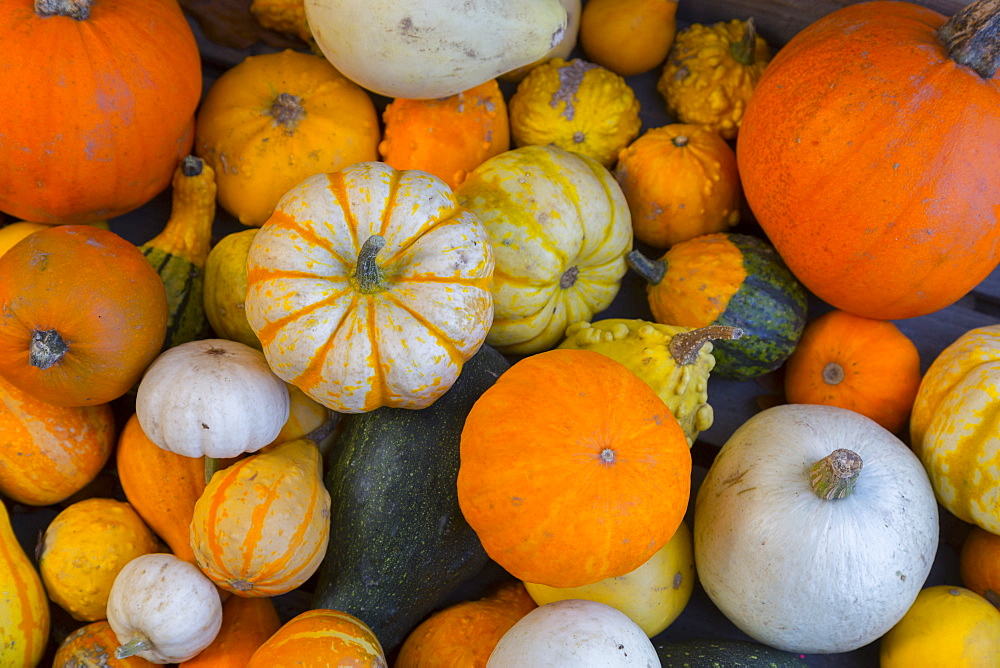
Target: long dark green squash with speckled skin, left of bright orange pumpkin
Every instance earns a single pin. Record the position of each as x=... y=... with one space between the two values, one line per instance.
x=398 y=541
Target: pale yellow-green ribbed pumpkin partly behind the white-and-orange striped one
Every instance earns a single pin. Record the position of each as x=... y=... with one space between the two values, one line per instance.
x=560 y=228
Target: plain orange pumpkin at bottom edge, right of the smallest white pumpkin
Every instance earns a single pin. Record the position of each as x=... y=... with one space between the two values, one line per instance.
x=246 y=624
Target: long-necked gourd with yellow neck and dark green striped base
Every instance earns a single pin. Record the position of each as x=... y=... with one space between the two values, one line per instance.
x=179 y=252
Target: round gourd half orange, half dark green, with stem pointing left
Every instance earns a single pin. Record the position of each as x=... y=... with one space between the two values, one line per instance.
x=729 y=279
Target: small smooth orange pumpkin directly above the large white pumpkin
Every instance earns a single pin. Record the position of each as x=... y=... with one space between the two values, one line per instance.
x=865 y=365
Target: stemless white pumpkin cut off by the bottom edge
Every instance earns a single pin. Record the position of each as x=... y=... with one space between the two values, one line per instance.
x=574 y=633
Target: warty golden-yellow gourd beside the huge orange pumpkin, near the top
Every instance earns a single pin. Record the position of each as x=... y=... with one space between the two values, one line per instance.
x=710 y=73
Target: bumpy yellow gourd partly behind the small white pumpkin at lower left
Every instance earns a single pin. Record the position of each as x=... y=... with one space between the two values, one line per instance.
x=85 y=547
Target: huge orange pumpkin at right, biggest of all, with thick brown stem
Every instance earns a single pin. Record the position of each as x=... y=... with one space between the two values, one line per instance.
x=868 y=154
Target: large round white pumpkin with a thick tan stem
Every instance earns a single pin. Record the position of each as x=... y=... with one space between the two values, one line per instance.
x=803 y=573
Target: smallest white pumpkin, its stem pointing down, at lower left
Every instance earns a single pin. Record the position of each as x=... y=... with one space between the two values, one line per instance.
x=163 y=609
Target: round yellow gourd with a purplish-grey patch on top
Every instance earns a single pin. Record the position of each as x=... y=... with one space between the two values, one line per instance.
x=576 y=105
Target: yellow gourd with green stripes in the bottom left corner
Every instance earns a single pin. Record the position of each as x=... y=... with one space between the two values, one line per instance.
x=24 y=607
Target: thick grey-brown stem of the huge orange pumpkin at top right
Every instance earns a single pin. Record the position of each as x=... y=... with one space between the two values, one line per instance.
x=972 y=37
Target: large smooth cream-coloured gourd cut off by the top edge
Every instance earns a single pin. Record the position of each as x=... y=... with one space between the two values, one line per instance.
x=419 y=49
